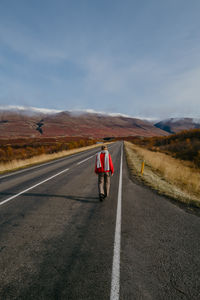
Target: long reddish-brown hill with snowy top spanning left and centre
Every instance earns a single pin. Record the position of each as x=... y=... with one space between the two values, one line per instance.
x=15 y=124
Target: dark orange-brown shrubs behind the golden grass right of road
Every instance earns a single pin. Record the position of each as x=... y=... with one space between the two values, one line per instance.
x=184 y=145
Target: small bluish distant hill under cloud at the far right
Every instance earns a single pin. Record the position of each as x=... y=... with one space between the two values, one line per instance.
x=175 y=125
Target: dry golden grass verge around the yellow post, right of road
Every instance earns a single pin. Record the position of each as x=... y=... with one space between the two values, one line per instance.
x=168 y=175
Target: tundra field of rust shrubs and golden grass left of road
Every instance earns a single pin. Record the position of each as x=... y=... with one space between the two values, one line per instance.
x=20 y=153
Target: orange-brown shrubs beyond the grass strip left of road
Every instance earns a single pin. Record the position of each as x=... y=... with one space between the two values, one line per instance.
x=17 y=149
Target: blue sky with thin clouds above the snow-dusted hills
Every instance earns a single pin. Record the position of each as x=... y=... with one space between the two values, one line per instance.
x=137 y=57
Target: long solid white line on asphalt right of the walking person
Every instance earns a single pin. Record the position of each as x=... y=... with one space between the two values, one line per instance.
x=115 y=283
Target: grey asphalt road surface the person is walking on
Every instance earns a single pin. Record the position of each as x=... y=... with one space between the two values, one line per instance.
x=57 y=241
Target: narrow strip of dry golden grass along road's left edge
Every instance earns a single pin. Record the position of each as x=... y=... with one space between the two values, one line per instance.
x=19 y=164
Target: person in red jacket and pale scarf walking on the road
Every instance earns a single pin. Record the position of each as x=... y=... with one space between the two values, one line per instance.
x=104 y=169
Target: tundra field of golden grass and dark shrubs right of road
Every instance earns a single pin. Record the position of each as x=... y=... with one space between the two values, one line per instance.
x=172 y=164
